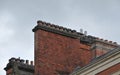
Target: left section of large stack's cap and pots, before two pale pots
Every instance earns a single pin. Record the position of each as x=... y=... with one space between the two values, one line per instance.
x=56 y=29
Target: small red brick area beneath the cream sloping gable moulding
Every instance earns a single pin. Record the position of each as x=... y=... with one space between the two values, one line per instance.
x=110 y=70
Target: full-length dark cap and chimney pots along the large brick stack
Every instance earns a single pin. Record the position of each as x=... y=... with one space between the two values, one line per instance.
x=70 y=33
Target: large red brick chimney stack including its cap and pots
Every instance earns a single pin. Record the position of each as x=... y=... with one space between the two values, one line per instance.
x=59 y=50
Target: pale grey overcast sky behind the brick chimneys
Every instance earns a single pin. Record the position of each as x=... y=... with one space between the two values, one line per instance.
x=100 y=18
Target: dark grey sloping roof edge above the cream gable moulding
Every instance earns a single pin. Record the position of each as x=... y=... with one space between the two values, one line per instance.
x=98 y=60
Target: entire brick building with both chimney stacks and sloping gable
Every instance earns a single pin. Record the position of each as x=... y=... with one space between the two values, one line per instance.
x=62 y=51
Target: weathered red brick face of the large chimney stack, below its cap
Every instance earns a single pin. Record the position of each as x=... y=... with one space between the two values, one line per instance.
x=54 y=52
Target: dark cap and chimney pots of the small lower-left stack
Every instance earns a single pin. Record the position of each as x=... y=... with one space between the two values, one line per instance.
x=21 y=64
